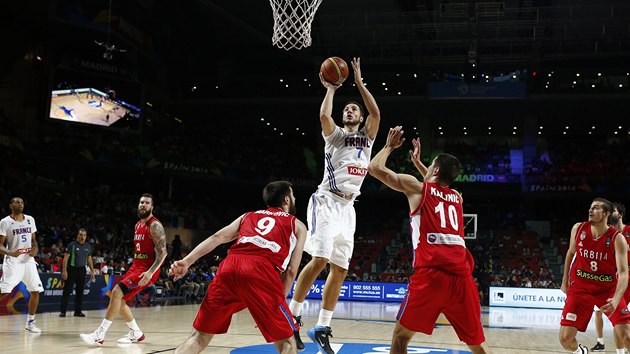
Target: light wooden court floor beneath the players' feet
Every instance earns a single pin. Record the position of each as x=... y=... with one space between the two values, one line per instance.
x=508 y=331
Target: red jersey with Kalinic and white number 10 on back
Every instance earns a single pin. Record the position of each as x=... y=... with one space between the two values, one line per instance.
x=437 y=231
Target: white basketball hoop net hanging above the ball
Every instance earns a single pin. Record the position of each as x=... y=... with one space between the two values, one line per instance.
x=292 y=22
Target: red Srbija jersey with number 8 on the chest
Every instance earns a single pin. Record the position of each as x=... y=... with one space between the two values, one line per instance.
x=594 y=268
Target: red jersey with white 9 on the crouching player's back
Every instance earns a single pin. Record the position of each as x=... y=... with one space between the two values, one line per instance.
x=269 y=233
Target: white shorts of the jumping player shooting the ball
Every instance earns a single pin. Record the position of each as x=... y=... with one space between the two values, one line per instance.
x=331 y=225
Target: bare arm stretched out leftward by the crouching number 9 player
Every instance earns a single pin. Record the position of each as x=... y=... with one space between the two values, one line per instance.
x=226 y=234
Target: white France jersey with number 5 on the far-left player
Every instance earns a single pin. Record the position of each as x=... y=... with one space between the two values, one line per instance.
x=19 y=236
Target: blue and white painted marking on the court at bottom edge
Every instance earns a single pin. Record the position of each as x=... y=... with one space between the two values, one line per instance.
x=350 y=348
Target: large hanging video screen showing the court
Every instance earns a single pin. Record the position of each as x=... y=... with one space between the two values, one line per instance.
x=86 y=98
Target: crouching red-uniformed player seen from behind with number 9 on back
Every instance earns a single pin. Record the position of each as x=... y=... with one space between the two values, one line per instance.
x=257 y=273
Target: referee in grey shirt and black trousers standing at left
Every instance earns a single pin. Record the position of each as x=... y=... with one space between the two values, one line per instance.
x=77 y=255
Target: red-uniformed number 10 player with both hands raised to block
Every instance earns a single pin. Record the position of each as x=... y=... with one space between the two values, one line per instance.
x=442 y=281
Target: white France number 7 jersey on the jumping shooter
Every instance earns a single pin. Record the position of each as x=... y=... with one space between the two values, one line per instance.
x=347 y=156
